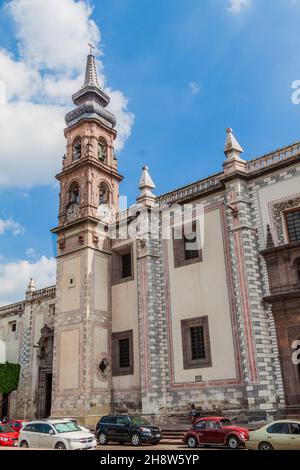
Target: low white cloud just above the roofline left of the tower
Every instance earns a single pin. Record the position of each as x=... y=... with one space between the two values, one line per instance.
x=14 y=277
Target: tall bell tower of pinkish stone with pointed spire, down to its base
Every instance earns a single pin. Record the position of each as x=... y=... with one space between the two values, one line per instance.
x=89 y=194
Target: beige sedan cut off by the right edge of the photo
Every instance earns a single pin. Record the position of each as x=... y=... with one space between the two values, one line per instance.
x=279 y=435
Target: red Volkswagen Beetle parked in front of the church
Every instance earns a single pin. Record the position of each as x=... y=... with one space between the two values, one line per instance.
x=216 y=431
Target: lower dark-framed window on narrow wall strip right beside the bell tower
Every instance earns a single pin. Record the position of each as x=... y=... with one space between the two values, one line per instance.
x=122 y=353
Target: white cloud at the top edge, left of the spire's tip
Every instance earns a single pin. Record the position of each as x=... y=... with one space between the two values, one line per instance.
x=54 y=34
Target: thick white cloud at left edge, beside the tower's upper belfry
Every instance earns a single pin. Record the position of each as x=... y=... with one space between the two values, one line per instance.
x=32 y=143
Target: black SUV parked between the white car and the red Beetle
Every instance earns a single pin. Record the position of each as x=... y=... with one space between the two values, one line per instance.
x=134 y=429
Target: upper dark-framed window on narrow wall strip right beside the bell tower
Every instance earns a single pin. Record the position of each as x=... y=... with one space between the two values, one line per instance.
x=122 y=264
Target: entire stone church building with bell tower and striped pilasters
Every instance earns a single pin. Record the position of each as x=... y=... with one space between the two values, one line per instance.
x=143 y=323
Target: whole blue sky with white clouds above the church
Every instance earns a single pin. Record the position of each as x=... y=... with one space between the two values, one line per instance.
x=179 y=72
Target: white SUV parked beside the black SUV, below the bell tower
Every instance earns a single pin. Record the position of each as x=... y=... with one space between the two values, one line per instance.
x=56 y=434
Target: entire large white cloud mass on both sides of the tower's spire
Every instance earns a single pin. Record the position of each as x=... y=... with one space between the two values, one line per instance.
x=39 y=86
